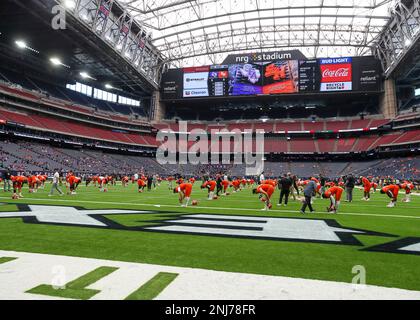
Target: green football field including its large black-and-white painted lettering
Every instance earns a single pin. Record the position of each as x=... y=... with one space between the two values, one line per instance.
x=230 y=234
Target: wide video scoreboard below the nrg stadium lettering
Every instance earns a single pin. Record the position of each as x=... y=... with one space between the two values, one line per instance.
x=288 y=76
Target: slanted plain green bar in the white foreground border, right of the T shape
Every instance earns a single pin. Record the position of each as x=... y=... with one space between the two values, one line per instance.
x=153 y=287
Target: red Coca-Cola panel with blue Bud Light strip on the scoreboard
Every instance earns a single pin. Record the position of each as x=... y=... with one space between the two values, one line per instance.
x=336 y=74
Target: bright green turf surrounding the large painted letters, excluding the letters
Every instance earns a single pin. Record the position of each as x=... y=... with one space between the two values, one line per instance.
x=285 y=258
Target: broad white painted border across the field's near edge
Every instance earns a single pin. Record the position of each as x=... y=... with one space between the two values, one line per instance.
x=30 y=270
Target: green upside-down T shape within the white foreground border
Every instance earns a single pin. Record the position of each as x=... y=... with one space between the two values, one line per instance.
x=75 y=289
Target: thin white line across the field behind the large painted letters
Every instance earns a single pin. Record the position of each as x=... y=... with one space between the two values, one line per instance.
x=73 y=201
